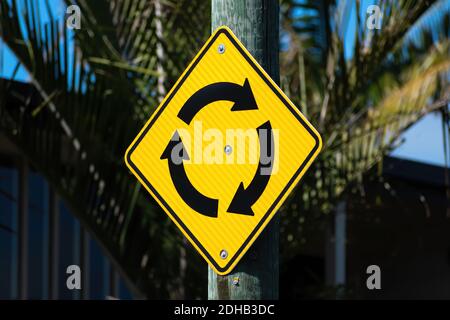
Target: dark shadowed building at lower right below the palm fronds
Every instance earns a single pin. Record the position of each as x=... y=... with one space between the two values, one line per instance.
x=401 y=225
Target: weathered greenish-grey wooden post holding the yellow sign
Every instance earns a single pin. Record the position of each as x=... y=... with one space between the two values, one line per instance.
x=256 y=24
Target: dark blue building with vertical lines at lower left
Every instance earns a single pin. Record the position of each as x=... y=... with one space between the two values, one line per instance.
x=40 y=238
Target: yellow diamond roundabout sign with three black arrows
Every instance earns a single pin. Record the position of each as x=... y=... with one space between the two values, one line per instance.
x=223 y=151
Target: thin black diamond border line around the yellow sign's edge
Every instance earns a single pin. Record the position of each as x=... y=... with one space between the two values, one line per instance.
x=167 y=101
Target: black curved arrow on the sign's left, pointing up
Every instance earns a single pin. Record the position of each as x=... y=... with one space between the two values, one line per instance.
x=175 y=153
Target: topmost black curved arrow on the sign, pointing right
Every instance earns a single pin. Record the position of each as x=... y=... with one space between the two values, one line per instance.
x=242 y=96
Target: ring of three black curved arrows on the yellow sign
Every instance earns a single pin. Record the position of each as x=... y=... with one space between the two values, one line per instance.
x=175 y=153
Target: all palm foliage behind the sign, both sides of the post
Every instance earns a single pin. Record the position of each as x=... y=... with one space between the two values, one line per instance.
x=95 y=87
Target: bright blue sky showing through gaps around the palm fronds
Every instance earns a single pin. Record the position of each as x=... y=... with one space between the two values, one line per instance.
x=423 y=142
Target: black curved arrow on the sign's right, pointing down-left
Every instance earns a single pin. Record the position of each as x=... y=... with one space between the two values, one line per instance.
x=244 y=198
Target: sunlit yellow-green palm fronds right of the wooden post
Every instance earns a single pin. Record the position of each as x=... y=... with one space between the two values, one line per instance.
x=361 y=99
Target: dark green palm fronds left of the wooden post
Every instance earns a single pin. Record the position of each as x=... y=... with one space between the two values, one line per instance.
x=93 y=98
